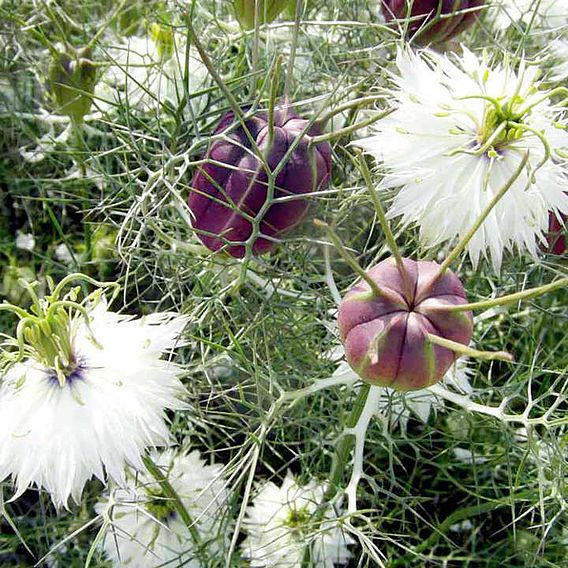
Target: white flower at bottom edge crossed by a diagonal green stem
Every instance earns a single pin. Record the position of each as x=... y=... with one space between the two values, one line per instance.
x=146 y=529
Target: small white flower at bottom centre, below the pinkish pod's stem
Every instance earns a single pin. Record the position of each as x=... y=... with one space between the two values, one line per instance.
x=281 y=528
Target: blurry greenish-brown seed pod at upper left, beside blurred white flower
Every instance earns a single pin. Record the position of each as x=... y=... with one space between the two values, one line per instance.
x=71 y=82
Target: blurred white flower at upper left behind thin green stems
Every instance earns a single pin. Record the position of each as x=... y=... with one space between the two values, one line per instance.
x=143 y=76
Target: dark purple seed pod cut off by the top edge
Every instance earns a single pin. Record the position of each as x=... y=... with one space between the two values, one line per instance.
x=427 y=25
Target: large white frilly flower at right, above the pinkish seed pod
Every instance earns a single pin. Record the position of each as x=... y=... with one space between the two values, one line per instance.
x=458 y=134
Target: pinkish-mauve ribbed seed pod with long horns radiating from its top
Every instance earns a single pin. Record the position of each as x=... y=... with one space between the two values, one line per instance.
x=385 y=337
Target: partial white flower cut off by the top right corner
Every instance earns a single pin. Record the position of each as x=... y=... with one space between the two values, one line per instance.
x=541 y=15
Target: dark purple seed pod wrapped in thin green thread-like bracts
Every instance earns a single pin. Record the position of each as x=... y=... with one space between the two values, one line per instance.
x=231 y=191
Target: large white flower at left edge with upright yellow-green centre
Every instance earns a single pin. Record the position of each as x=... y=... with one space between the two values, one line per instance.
x=83 y=391
